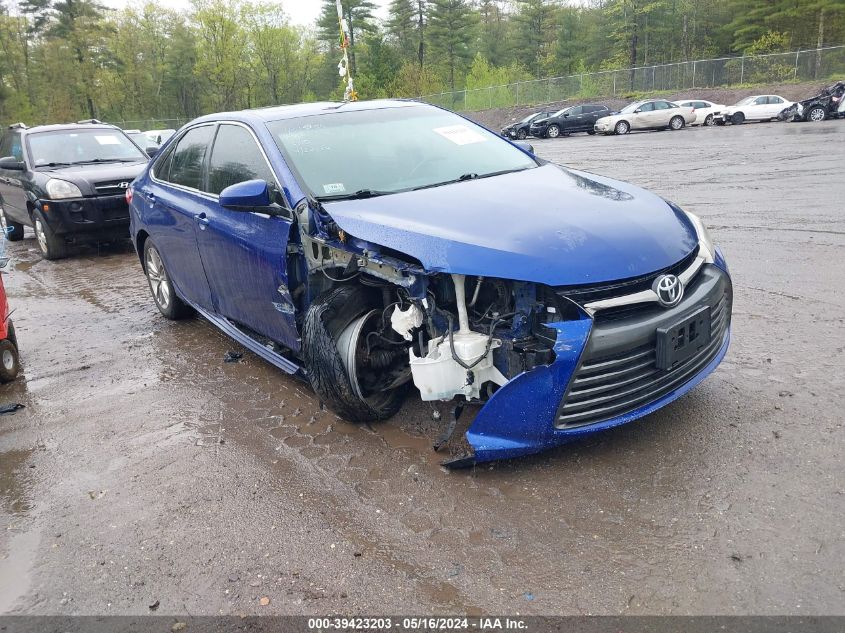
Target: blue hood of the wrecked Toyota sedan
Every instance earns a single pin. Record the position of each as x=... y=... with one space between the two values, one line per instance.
x=547 y=225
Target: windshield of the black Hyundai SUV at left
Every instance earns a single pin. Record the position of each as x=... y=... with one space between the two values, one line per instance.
x=73 y=147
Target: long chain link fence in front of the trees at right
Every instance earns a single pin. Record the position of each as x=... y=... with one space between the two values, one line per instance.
x=805 y=65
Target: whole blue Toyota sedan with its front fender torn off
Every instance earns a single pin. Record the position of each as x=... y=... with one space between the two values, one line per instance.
x=436 y=254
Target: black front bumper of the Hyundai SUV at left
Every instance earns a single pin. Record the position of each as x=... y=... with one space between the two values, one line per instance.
x=88 y=218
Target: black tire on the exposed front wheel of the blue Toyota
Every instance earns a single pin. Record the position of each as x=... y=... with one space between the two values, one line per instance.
x=334 y=317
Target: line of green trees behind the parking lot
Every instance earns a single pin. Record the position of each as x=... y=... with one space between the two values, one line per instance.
x=63 y=60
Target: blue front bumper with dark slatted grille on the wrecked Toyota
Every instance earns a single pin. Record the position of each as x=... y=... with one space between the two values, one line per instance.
x=546 y=407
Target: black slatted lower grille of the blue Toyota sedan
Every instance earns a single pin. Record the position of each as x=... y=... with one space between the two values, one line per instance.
x=608 y=386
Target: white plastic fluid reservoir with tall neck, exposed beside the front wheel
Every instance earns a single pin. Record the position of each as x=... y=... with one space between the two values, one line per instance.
x=439 y=376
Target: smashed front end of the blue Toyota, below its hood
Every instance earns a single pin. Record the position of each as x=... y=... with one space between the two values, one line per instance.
x=543 y=364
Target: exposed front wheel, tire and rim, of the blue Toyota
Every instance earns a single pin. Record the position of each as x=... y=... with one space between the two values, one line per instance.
x=358 y=382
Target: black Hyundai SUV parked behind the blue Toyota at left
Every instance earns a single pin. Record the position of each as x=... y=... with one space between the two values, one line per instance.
x=67 y=182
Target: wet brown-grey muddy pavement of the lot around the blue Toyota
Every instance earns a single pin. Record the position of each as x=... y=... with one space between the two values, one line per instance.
x=146 y=470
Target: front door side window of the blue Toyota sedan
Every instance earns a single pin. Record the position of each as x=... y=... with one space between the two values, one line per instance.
x=236 y=158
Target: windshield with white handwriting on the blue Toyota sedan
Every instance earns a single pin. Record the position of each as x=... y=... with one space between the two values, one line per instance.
x=375 y=152
